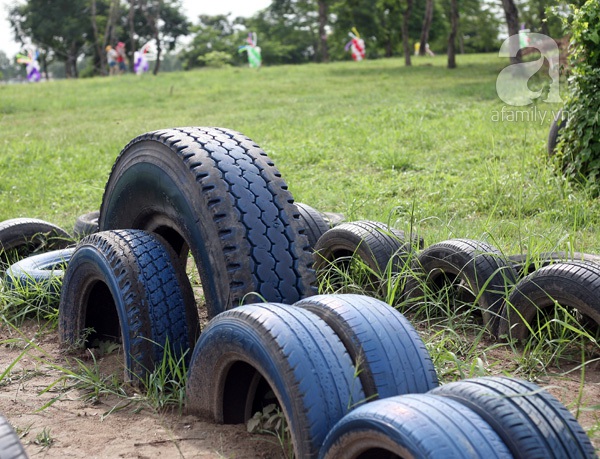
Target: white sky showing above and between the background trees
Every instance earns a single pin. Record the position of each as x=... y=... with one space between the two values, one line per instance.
x=192 y=8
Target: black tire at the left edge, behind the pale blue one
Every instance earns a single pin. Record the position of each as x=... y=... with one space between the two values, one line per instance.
x=22 y=237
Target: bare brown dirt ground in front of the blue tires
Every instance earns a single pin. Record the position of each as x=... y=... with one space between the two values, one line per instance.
x=79 y=429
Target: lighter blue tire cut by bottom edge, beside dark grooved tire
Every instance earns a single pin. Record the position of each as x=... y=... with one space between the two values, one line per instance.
x=416 y=426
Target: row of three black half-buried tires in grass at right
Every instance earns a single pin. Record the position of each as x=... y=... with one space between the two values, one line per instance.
x=512 y=293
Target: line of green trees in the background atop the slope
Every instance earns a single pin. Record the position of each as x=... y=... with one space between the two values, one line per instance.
x=74 y=33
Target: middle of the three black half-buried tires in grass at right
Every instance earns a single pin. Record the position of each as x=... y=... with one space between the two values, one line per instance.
x=481 y=267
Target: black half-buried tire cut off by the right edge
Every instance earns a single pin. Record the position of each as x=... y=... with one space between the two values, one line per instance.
x=572 y=285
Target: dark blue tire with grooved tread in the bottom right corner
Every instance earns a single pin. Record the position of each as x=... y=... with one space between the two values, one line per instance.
x=531 y=422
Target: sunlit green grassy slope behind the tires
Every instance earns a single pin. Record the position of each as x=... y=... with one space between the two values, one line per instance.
x=375 y=140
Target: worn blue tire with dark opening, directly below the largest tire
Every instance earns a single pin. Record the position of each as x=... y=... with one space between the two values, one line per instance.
x=249 y=352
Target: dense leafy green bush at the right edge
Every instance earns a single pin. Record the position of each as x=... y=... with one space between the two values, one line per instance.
x=579 y=150
